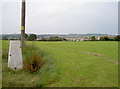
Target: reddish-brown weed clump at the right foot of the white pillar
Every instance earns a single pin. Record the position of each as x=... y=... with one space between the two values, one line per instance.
x=33 y=63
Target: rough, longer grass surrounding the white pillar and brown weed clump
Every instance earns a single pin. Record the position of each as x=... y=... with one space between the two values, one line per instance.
x=24 y=78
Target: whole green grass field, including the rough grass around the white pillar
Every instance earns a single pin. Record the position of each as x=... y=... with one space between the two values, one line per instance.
x=68 y=64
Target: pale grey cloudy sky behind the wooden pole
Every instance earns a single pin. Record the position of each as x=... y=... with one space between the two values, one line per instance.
x=61 y=16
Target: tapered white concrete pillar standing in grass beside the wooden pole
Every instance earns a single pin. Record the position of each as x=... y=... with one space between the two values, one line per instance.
x=15 y=56
